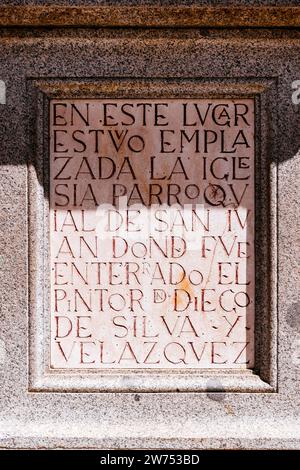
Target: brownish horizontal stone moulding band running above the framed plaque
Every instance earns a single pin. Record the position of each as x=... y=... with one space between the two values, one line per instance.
x=152 y=16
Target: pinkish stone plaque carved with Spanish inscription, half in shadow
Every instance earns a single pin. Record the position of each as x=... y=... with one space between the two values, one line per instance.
x=152 y=233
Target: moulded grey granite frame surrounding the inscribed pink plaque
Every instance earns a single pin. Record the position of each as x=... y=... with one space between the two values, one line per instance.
x=264 y=377
